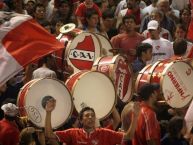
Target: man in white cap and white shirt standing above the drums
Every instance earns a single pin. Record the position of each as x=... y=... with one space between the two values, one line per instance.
x=162 y=48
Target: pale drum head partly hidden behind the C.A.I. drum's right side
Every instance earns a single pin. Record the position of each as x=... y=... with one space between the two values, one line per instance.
x=106 y=45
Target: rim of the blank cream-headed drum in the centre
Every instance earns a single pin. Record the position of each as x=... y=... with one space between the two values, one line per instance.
x=84 y=72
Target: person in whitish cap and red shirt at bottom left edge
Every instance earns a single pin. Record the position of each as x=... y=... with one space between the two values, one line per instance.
x=9 y=133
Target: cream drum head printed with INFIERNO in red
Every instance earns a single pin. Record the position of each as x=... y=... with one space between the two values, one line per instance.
x=176 y=84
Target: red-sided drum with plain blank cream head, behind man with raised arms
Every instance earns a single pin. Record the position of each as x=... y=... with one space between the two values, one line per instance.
x=93 y=89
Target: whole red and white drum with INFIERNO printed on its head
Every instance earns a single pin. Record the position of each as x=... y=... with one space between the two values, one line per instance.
x=175 y=79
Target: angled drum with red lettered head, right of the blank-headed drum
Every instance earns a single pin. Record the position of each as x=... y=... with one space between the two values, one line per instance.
x=120 y=72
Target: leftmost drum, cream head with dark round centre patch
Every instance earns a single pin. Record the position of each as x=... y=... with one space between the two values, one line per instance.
x=34 y=94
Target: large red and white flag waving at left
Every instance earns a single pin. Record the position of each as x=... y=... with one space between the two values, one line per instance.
x=22 y=40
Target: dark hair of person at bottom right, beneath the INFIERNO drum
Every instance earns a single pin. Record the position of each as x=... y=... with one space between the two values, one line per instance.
x=175 y=125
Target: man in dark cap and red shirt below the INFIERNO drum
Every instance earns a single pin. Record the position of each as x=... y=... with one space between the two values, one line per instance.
x=148 y=130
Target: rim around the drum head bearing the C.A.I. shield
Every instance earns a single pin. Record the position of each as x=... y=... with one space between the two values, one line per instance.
x=67 y=53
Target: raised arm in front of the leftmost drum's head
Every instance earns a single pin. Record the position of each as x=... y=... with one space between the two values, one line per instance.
x=50 y=105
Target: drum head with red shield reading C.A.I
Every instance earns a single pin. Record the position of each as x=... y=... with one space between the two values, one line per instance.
x=83 y=51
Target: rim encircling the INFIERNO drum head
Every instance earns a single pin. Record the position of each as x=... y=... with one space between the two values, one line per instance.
x=162 y=78
